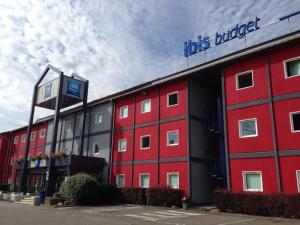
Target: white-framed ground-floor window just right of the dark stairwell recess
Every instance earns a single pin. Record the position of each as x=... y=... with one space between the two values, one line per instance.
x=252 y=181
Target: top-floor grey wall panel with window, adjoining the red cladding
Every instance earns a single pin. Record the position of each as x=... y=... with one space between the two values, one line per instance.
x=106 y=111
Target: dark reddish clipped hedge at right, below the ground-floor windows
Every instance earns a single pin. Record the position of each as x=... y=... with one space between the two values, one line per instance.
x=258 y=203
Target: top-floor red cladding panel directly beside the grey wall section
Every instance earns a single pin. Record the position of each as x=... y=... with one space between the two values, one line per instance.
x=128 y=121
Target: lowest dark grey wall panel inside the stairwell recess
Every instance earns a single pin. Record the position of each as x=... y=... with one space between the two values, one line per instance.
x=201 y=183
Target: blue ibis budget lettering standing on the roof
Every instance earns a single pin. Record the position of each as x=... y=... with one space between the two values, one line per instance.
x=192 y=47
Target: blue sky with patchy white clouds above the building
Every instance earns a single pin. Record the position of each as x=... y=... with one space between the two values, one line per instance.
x=115 y=44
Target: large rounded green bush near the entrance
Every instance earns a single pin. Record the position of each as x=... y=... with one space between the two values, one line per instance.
x=80 y=189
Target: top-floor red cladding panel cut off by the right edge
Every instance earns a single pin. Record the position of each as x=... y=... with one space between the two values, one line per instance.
x=280 y=84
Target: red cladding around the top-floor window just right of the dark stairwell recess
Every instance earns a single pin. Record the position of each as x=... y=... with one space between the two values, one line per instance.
x=258 y=91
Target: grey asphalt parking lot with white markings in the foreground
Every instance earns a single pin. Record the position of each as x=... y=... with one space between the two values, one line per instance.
x=15 y=214
